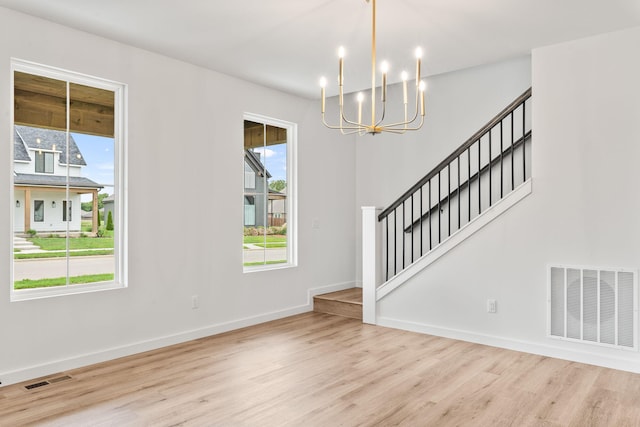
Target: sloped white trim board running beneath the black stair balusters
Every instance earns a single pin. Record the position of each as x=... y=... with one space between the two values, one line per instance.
x=455 y=239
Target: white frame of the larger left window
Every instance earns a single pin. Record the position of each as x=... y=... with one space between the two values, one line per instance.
x=120 y=179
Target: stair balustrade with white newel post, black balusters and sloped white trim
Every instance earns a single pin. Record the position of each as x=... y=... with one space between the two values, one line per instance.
x=483 y=178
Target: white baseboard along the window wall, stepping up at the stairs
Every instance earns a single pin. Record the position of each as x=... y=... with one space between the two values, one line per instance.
x=53 y=367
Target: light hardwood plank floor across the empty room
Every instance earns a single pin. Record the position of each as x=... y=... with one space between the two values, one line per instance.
x=323 y=370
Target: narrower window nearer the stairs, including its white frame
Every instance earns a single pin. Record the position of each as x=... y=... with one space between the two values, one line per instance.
x=269 y=193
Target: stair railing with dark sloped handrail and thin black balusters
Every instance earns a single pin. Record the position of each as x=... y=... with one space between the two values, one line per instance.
x=483 y=170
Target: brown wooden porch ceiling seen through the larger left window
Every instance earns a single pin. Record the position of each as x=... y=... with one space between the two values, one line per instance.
x=42 y=101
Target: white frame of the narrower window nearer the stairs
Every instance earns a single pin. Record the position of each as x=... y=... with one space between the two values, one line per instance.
x=292 y=194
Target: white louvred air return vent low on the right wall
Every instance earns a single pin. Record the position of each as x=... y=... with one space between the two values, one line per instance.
x=593 y=305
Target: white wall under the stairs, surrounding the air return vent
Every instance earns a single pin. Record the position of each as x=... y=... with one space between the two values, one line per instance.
x=583 y=209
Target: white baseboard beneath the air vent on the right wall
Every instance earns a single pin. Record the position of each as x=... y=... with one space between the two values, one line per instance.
x=623 y=359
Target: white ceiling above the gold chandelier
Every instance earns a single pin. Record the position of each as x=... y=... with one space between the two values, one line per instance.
x=289 y=44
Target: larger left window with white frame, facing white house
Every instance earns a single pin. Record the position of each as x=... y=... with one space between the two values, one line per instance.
x=68 y=153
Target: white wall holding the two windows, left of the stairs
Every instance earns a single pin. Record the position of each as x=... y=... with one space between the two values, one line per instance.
x=185 y=154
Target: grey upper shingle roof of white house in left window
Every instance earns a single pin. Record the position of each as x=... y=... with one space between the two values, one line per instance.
x=27 y=136
